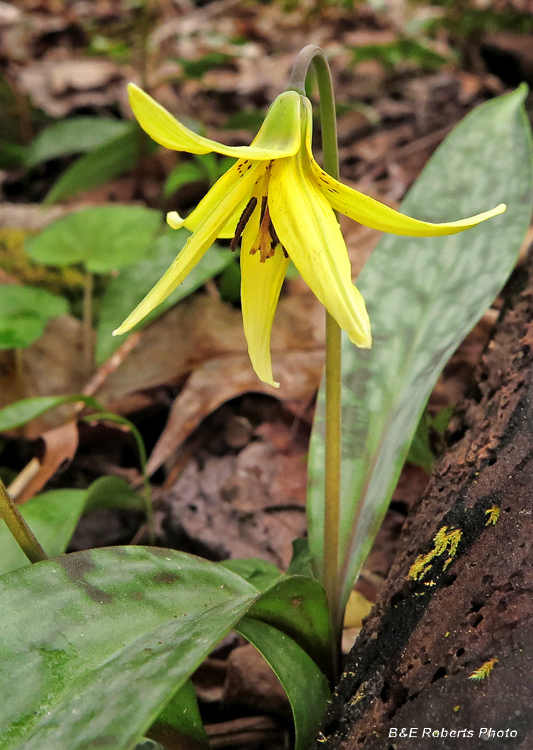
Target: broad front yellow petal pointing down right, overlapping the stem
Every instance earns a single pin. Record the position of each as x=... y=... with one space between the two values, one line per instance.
x=308 y=229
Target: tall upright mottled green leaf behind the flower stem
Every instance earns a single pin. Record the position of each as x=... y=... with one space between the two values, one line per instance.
x=423 y=296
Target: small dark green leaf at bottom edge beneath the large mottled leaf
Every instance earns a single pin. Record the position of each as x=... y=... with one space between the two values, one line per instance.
x=180 y=723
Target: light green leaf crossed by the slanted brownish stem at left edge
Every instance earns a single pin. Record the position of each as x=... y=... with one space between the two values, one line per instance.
x=52 y=517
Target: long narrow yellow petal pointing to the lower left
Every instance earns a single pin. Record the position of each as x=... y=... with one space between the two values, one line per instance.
x=195 y=247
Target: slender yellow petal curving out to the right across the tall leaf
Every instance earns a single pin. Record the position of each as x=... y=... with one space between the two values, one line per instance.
x=372 y=213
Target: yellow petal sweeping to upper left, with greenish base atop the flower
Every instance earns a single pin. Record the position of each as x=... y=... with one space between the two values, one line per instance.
x=278 y=136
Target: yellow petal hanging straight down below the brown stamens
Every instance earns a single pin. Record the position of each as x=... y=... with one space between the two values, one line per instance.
x=260 y=288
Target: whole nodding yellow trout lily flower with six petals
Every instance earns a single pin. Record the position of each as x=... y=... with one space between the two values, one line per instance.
x=279 y=204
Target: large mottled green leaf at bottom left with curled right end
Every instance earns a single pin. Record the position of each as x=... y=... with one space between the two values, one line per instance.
x=99 y=642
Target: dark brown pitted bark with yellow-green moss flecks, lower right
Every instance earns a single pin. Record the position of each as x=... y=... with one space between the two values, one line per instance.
x=428 y=633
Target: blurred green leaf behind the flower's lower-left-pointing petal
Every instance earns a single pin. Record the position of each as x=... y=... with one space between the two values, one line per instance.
x=132 y=284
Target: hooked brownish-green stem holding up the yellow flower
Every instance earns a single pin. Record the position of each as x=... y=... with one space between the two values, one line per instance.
x=314 y=55
